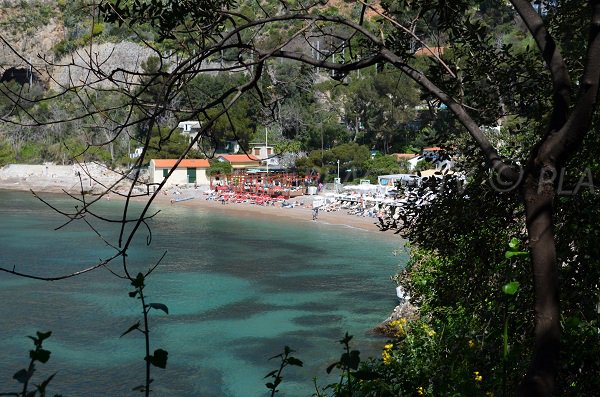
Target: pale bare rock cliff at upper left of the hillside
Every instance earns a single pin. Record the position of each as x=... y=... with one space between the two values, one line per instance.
x=29 y=32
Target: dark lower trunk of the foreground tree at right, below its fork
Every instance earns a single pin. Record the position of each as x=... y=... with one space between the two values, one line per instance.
x=539 y=193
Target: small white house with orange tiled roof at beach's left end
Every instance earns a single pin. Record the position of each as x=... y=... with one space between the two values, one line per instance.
x=188 y=171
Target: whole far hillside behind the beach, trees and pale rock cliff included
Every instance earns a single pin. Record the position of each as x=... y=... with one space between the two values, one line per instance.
x=307 y=110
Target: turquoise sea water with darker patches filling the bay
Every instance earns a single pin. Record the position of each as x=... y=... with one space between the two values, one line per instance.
x=238 y=290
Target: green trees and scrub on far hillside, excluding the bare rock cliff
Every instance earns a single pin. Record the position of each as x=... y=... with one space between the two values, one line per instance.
x=375 y=109
